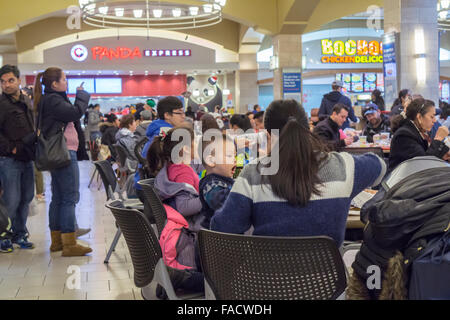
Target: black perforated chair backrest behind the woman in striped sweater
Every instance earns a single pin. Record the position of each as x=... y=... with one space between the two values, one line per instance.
x=239 y=267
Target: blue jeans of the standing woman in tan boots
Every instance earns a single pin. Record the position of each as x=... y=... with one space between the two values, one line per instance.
x=65 y=196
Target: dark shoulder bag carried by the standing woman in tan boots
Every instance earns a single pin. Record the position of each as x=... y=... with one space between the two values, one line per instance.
x=52 y=152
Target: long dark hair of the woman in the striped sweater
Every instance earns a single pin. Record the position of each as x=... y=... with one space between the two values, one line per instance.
x=300 y=153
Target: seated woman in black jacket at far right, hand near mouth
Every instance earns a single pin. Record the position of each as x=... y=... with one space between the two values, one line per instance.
x=412 y=139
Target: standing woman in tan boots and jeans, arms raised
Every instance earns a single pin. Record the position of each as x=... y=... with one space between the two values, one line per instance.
x=57 y=113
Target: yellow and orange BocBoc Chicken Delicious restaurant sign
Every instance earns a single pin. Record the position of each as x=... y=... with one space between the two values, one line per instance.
x=352 y=51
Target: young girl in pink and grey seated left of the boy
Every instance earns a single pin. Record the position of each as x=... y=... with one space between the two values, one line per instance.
x=177 y=183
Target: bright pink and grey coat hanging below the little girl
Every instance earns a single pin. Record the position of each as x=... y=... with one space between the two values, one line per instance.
x=177 y=241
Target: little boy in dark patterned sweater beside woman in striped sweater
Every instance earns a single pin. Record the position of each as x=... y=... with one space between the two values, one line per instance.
x=220 y=164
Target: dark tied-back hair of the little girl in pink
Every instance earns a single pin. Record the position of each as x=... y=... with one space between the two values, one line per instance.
x=160 y=151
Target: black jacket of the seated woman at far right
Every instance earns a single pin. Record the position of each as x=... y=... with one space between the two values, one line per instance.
x=407 y=143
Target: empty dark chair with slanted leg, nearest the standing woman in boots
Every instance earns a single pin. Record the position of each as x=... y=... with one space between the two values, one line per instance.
x=109 y=180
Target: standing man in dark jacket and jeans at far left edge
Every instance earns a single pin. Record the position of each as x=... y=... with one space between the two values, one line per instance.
x=17 y=151
